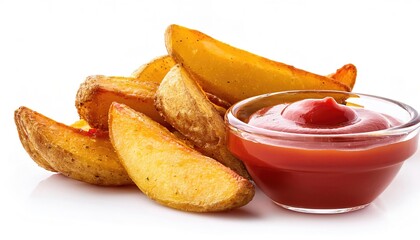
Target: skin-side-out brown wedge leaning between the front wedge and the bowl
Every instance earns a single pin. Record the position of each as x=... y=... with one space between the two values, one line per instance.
x=185 y=106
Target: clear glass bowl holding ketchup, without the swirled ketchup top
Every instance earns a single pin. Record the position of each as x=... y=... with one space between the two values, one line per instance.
x=322 y=173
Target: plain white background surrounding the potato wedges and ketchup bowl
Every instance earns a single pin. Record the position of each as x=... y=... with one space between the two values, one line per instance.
x=47 y=48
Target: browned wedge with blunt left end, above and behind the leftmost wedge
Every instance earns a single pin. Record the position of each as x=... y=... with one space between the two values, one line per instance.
x=96 y=94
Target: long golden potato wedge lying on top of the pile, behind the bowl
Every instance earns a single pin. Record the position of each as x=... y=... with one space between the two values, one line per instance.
x=234 y=74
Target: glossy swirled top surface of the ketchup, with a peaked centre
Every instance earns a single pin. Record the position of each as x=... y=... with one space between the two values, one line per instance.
x=320 y=116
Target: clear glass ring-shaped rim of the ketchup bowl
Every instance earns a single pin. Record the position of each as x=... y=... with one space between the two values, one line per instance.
x=234 y=123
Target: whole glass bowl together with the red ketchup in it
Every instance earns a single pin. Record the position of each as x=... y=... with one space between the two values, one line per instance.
x=310 y=154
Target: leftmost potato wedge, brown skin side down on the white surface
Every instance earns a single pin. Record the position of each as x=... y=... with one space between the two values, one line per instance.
x=87 y=156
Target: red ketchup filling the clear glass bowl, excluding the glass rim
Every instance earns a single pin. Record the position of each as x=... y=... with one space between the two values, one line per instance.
x=329 y=174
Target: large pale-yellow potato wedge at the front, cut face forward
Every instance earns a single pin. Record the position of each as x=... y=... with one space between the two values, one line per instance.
x=170 y=172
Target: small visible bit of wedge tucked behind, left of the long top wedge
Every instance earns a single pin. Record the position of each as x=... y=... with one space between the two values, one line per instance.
x=155 y=70
